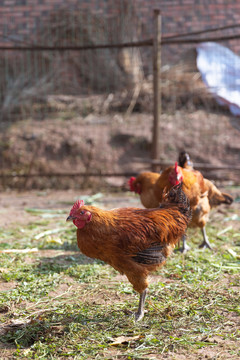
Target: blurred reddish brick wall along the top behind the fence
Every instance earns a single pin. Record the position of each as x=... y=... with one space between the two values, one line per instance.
x=19 y=19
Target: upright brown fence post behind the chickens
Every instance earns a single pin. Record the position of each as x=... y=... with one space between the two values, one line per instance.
x=156 y=89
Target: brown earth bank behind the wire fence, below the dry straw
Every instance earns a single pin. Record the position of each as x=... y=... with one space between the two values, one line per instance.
x=112 y=143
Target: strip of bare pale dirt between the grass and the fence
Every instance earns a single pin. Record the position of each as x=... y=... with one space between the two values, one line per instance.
x=13 y=203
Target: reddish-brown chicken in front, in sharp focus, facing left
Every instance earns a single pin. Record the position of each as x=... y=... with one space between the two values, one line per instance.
x=133 y=241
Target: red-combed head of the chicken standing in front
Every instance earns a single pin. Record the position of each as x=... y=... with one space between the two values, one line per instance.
x=79 y=215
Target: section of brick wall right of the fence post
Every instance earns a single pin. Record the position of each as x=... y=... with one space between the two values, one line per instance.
x=183 y=16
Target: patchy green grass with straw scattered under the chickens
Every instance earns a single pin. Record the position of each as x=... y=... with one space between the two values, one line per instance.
x=58 y=304
